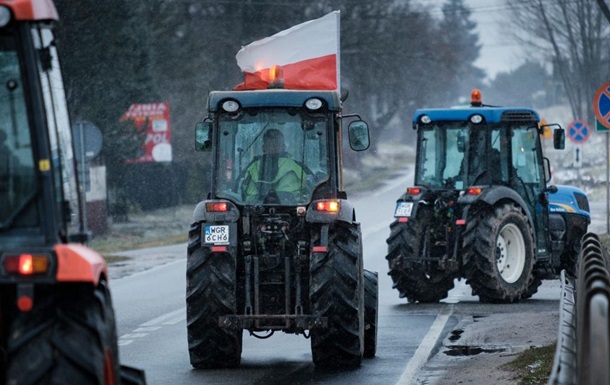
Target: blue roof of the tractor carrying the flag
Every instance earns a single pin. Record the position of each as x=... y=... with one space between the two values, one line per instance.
x=273 y=98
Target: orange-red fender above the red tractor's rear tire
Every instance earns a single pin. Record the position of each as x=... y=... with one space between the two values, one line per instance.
x=78 y=263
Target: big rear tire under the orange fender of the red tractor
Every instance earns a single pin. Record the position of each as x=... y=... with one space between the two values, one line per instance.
x=69 y=337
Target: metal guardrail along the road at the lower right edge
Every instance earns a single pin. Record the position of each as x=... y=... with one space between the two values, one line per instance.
x=582 y=355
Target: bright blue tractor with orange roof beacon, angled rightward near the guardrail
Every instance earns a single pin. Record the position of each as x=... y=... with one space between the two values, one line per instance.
x=481 y=209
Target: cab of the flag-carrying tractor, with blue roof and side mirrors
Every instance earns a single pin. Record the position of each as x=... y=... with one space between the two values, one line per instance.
x=276 y=147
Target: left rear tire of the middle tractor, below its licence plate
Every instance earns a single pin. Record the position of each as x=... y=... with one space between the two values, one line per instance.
x=210 y=293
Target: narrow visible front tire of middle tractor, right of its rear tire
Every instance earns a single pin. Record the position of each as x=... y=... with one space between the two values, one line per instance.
x=371 y=306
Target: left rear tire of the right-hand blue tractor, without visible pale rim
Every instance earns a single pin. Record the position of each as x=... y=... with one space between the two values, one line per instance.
x=415 y=281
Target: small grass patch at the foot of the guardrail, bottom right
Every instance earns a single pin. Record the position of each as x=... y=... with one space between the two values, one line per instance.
x=534 y=365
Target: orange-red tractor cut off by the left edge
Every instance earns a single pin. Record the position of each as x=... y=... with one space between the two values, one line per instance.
x=57 y=322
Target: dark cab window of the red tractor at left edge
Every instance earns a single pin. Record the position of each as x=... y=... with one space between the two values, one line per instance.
x=17 y=168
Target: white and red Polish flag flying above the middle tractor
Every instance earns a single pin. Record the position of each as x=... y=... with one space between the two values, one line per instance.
x=308 y=55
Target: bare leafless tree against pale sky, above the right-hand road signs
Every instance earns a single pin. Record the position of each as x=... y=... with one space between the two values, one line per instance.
x=574 y=38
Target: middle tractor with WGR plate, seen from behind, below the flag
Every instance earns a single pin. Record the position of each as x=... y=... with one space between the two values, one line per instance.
x=276 y=245
